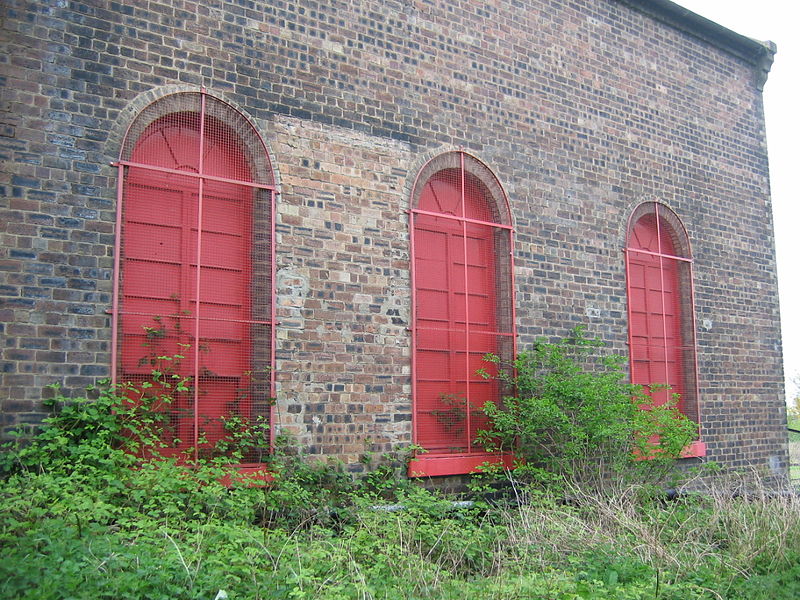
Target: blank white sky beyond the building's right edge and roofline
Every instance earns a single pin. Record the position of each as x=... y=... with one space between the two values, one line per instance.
x=776 y=20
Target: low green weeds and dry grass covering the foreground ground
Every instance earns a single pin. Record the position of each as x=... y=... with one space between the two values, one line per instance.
x=151 y=535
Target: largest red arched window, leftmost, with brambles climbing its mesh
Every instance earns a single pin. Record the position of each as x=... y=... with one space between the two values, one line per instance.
x=194 y=273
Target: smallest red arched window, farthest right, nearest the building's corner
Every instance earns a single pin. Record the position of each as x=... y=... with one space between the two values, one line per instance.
x=660 y=308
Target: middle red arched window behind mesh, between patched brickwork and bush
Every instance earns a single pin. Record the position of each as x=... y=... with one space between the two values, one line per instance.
x=461 y=240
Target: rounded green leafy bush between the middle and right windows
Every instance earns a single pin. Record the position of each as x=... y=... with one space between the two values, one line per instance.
x=572 y=416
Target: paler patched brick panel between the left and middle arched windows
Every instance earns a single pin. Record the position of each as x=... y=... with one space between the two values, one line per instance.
x=344 y=291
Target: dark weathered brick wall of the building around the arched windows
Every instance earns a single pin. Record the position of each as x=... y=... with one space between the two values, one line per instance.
x=582 y=109
